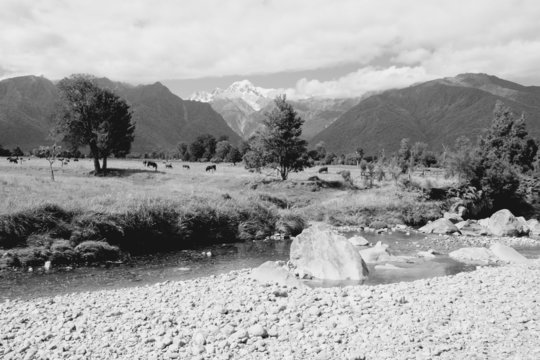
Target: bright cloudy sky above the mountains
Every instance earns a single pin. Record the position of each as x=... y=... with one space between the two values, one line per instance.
x=331 y=48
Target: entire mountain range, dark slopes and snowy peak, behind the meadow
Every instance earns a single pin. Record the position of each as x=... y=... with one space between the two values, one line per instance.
x=435 y=112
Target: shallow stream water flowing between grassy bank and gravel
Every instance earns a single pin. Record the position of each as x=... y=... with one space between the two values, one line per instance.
x=184 y=265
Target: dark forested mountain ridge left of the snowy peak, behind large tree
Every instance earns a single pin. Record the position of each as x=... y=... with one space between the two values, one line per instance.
x=162 y=118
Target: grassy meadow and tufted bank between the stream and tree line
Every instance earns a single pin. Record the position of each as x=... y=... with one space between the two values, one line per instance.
x=84 y=219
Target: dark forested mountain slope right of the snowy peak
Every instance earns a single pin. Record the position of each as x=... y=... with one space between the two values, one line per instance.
x=435 y=112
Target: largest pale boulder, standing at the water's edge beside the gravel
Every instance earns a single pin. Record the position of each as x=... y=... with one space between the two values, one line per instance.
x=325 y=254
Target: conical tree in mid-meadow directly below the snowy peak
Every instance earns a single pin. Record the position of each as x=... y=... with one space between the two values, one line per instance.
x=282 y=147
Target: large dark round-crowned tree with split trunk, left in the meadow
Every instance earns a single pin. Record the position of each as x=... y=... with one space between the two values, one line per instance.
x=96 y=117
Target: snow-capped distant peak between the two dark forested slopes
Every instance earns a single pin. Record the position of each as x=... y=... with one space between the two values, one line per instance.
x=243 y=106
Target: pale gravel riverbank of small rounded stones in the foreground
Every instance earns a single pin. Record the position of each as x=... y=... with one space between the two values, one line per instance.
x=490 y=313
